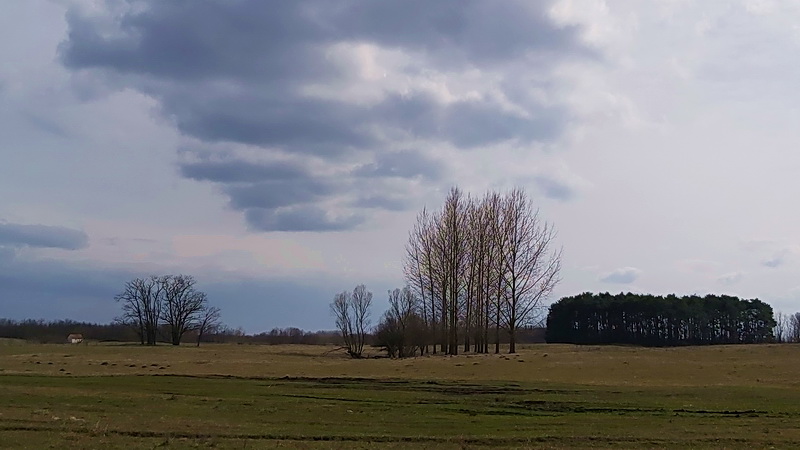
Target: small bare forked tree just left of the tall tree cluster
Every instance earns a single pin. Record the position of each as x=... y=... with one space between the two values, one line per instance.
x=352 y=312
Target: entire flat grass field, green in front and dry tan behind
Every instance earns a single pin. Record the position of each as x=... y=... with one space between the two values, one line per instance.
x=247 y=396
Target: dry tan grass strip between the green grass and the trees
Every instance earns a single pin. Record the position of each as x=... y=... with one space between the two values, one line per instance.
x=739 y=365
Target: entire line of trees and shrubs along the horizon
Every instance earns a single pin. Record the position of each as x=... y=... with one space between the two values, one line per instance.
x=478 y=273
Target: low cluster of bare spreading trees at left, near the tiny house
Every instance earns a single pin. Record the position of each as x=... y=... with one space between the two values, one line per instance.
x=166 y=303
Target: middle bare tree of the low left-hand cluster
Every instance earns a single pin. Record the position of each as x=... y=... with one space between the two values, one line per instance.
x=183 y=305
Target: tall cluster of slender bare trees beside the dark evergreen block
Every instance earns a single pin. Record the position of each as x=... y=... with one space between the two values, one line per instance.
x=476 y=267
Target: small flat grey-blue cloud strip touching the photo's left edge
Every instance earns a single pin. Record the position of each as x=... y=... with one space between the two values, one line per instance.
x=17 y=235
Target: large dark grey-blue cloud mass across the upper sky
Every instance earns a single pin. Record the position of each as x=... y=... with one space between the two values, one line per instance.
x=238 y=72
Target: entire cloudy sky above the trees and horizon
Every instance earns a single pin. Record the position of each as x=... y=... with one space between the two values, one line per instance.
x=279 y=151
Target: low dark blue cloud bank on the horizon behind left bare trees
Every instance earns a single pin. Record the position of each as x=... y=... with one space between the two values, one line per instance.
x=57 y=290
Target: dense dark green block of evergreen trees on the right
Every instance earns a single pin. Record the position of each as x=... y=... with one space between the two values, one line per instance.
x=659 y=321
